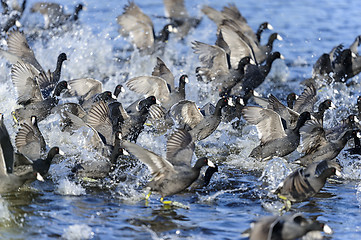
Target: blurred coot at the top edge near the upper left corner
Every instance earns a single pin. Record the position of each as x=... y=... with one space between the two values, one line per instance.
x=54 y=15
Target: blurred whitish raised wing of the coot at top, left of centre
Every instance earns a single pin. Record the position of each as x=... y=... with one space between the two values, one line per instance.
x=137 y=25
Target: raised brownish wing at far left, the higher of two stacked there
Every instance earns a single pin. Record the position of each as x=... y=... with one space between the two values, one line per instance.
x=18 y=45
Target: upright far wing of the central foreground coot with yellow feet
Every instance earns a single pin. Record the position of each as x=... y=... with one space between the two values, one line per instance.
x=180 y=148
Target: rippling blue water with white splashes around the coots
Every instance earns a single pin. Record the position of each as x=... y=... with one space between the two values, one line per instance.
x=240 y=192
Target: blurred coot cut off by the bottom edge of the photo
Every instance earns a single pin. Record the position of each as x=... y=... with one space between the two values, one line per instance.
x=286 y=227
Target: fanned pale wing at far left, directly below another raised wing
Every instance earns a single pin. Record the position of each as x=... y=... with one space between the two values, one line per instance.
x=25 y=83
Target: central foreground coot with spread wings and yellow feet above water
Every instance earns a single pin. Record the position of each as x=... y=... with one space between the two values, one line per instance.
x=173 y=174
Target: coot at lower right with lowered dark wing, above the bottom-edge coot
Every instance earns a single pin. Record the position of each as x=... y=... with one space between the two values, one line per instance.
x=304 y=183
